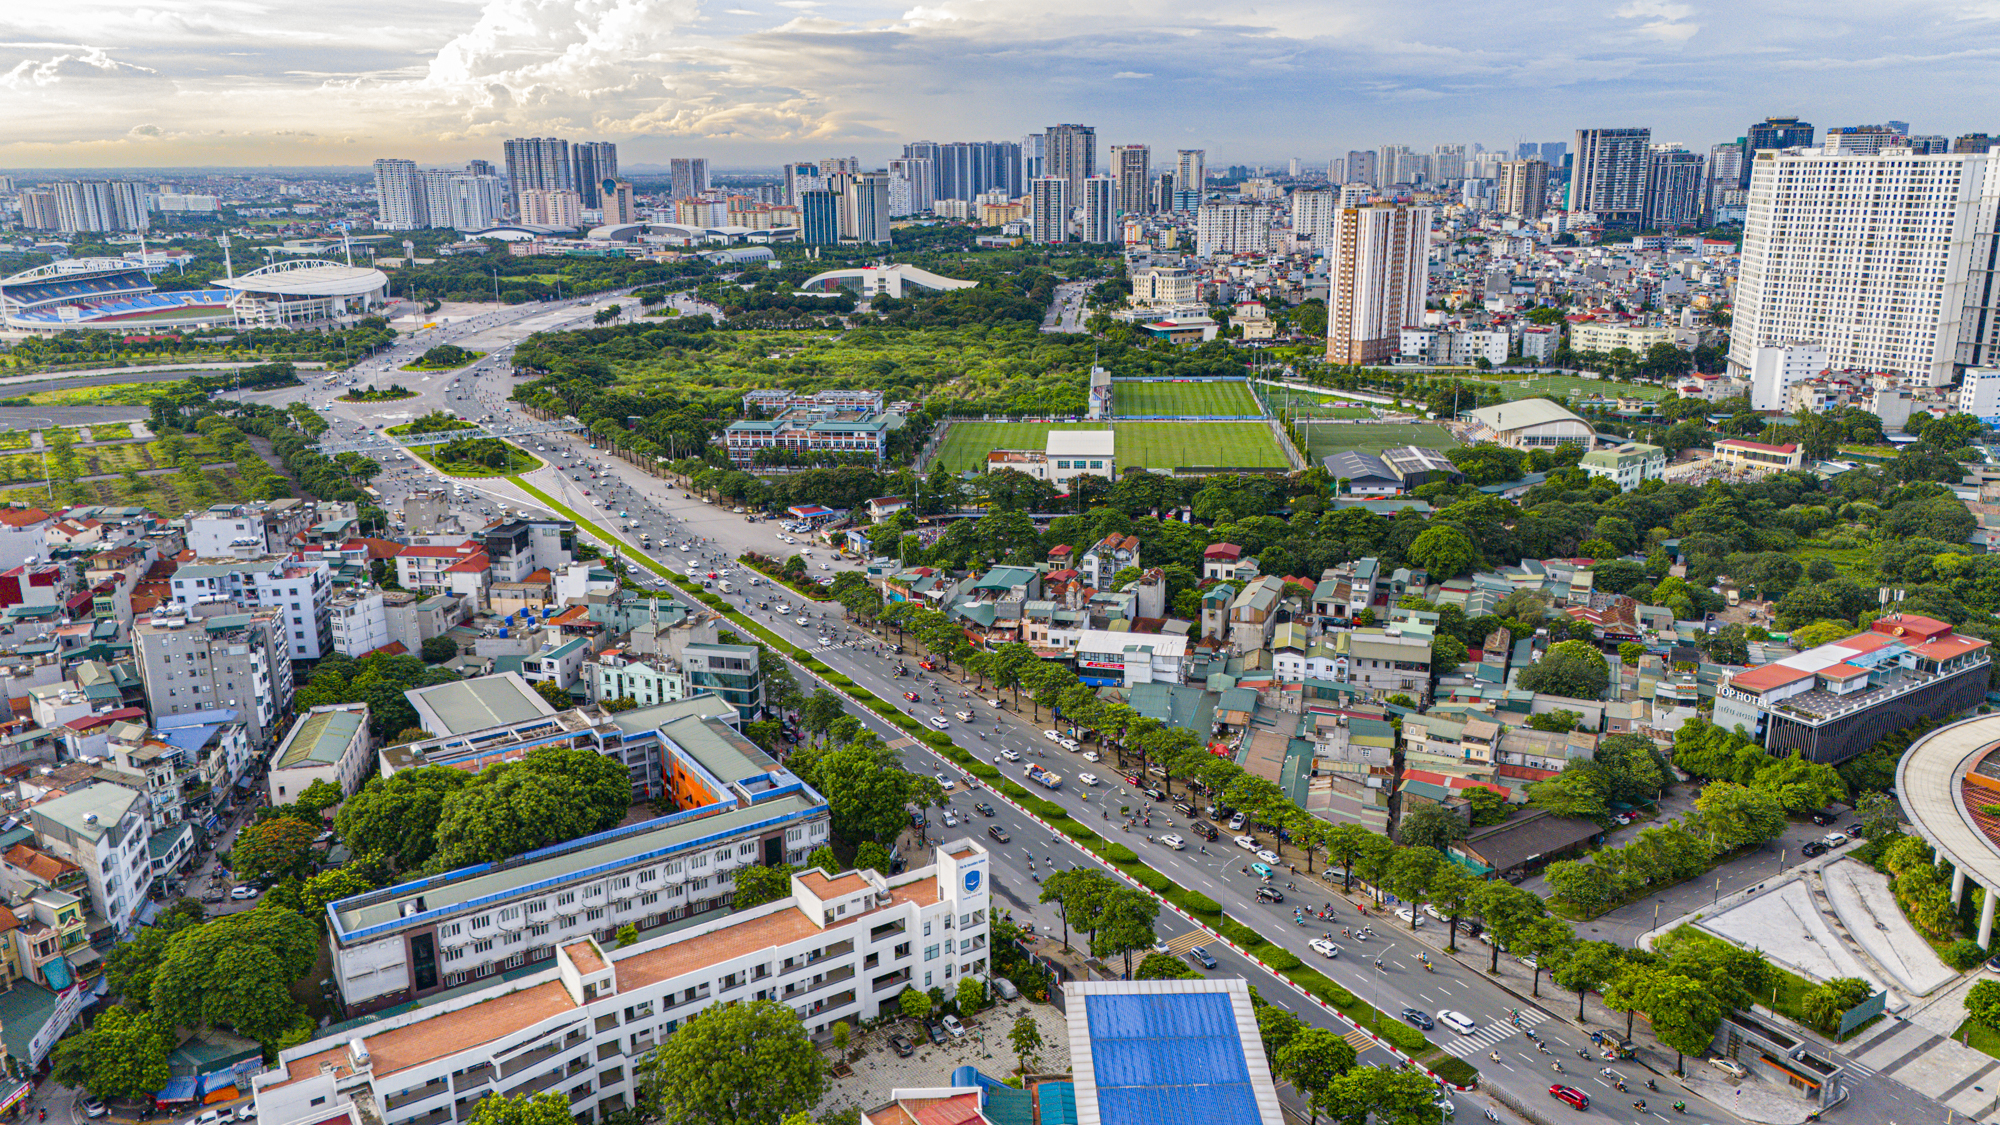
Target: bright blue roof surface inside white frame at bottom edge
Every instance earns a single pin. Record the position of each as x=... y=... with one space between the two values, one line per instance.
x=1169 y=1060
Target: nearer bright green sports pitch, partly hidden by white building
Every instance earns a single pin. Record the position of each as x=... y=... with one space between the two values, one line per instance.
x=1153 y=445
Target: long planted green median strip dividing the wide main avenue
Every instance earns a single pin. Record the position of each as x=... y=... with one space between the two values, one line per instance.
x=1309 y=984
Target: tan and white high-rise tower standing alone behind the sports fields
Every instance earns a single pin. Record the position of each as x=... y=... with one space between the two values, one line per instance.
x=1377 y=269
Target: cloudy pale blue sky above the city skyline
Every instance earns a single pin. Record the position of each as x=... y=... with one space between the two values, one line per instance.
x=751 y=83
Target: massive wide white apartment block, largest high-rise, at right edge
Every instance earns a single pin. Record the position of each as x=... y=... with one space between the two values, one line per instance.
x=1885 y=259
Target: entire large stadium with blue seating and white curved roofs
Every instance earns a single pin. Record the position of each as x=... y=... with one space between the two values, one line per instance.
x=119 y=295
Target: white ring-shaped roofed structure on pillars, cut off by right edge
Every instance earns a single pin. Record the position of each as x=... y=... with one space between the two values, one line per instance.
x=1947 y=784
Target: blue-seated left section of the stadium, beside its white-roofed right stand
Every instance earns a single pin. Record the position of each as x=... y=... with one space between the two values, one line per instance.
x=107 y=295
